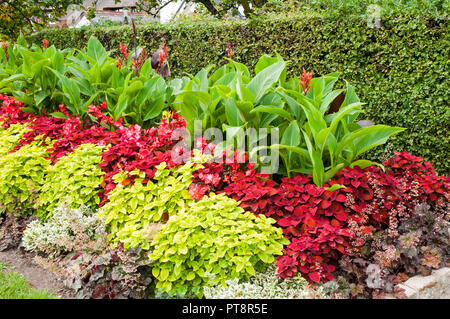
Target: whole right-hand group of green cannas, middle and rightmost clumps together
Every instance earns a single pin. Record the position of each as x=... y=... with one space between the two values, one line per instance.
x=317 y=136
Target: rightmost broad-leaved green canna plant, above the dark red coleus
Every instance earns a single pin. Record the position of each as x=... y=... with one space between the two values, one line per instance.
x=319 y=142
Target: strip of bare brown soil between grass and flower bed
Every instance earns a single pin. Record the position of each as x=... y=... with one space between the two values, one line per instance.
x=37 y=276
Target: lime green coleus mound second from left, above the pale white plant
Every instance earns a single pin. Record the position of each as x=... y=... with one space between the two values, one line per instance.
x=75 y=177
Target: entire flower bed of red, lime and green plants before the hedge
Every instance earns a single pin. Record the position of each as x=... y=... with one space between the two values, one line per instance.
x=129 y=210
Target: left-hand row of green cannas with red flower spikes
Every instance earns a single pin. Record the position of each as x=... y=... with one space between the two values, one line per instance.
x=44 y=78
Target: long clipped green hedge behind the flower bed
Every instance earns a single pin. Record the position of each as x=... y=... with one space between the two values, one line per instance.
x=401 y=70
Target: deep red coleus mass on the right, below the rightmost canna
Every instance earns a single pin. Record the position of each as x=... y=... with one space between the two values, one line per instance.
x=324 y=225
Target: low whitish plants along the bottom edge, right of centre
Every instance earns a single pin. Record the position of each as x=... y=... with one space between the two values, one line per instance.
x=264 y=286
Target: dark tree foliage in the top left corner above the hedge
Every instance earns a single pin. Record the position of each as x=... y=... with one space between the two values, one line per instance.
x=30 y=15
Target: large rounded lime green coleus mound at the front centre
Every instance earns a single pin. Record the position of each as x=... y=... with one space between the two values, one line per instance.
x=212 y=241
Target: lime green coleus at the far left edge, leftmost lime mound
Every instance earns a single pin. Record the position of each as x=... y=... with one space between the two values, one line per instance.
x=22 y=176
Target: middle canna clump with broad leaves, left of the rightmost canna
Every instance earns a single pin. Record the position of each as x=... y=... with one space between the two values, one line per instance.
x=230 y=98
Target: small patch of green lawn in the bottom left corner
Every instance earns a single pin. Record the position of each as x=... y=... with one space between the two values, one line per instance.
x=14 y=286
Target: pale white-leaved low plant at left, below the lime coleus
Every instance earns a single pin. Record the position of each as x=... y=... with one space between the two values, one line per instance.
x=67 y=230
